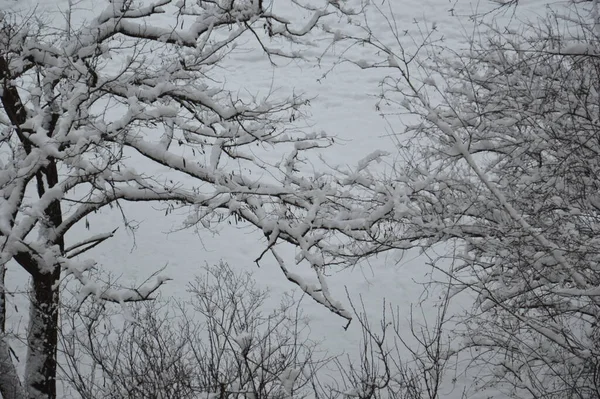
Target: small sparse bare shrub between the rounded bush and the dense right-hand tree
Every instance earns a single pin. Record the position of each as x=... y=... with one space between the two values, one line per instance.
x=399 y=357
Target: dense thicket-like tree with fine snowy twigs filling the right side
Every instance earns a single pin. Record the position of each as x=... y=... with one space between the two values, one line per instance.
x=500 y=163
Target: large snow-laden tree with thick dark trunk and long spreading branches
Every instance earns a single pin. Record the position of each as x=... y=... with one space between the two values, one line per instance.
x=84 y=105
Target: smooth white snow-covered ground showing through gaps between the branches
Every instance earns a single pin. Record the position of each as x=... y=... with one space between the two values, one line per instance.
x=343 y=105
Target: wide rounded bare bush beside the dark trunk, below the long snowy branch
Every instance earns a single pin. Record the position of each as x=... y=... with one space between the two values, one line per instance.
x=223 y=343
